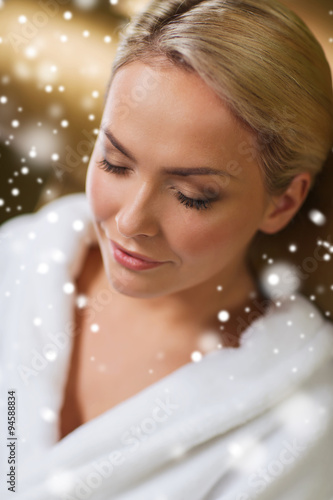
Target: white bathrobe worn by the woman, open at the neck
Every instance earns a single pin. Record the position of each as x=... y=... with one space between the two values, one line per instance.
x=240 y=424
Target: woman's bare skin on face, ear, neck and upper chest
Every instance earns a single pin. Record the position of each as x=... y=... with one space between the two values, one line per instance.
x=180 y=123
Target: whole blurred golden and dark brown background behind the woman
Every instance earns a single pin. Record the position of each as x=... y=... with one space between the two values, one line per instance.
x=54 y=68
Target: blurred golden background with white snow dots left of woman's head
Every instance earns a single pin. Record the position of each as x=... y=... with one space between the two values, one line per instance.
x=48 y=117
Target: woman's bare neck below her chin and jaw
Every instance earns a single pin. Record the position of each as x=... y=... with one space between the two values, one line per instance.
x=197 y=308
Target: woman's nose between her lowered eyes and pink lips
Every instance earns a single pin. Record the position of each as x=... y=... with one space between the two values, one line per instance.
x=138 y=213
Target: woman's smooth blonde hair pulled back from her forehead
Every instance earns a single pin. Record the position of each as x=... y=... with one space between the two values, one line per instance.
x=261 y=59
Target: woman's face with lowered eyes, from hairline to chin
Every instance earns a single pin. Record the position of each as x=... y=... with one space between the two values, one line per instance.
x=158 y=125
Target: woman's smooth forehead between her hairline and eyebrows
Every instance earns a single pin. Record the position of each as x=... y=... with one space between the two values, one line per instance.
x=174 y=110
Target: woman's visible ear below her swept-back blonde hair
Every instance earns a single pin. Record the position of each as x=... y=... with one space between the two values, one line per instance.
x=282 y=208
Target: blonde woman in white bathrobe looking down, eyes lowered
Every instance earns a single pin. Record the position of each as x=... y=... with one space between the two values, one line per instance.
x=217 y=120
